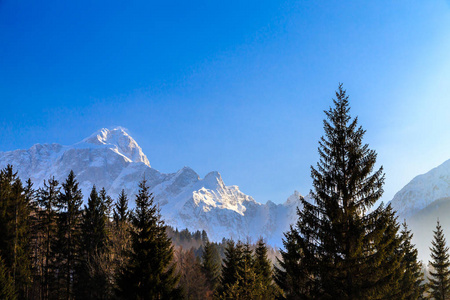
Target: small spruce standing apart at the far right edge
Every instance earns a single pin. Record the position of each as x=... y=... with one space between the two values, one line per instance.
x=440 y=274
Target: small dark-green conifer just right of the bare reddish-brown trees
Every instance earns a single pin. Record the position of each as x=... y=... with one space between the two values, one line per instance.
x=211 y=265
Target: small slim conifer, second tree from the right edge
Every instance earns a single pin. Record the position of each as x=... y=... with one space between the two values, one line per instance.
x=411 y=283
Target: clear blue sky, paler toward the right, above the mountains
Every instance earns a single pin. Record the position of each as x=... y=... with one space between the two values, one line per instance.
x=234 y=86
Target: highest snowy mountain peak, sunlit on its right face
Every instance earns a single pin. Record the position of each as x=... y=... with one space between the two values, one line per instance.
x=118 y=140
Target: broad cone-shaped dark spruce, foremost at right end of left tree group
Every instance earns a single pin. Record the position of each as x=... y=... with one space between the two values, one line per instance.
x=150 y=272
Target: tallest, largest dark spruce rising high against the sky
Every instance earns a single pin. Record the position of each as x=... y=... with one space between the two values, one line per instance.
x=338 y=248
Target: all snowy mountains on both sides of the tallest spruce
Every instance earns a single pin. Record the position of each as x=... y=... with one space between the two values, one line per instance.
x=112 y=159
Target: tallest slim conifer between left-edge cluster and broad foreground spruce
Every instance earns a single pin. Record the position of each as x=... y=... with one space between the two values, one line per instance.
x=67 y=244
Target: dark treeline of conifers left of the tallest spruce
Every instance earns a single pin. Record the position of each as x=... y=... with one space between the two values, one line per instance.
x=53 y=247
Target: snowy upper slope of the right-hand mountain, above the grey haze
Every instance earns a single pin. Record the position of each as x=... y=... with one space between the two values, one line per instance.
x=423 y=190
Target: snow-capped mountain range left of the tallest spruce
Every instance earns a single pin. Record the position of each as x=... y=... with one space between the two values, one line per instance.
x=112 y=159
